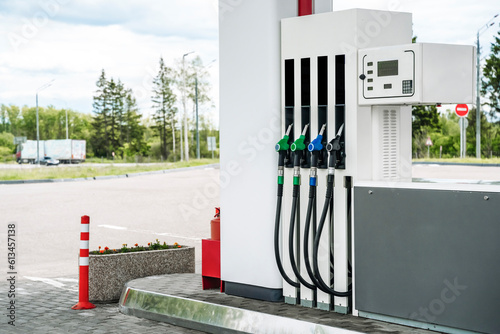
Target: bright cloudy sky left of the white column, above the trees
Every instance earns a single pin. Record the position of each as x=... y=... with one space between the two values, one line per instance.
x=81 y=38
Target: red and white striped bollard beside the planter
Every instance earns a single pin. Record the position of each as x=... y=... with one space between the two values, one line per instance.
x=83 y=295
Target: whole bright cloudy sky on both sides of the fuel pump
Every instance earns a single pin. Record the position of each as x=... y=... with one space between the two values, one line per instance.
x=71 y=41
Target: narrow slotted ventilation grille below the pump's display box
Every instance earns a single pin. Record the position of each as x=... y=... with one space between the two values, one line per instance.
x=390 y=135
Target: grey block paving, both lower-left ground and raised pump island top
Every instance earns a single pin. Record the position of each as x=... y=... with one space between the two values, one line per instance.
x=43 y=306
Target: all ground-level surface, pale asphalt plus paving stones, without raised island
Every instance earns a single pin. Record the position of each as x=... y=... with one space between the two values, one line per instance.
x=174 y=207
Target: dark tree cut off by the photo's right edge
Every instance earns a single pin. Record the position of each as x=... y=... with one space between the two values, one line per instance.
x=490 y=87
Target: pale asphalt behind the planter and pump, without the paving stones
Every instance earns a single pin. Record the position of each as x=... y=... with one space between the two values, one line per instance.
x=173 y=207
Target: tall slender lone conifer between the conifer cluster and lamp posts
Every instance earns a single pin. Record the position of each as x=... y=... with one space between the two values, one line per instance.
x=163 y=102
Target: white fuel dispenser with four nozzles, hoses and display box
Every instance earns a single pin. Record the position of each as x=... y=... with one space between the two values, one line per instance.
x=342 y=80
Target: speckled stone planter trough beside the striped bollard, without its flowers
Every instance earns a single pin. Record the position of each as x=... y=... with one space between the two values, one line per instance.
x=109 y=273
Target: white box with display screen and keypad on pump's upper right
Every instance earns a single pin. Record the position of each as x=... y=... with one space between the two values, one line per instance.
x=420 y=73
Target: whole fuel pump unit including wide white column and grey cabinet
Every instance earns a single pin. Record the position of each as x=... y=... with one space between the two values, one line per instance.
x=347 y=82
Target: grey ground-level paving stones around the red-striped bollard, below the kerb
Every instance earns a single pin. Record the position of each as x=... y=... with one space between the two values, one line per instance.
x=44 y=307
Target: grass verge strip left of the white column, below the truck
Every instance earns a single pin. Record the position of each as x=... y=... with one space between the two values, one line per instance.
x=83 y=170
